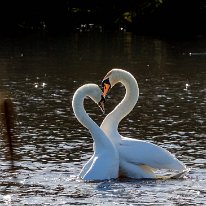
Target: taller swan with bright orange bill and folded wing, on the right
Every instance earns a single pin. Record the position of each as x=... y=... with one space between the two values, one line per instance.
x=138 y=159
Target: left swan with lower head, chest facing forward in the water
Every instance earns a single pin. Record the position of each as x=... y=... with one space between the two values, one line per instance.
x=104 y=164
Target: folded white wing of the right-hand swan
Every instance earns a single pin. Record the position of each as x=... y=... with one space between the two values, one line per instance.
x=145 y=153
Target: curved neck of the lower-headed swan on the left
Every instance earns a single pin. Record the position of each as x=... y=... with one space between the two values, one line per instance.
x=99 y=137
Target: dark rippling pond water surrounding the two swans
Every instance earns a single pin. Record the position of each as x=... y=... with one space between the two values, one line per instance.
x=41 y=74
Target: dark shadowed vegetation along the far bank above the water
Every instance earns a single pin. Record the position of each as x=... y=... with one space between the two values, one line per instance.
x=179 y=17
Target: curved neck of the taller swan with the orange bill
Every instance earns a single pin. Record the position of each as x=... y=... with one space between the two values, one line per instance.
x=129 y=100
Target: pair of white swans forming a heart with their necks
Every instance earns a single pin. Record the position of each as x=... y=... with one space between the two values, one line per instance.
x=115 y=155
